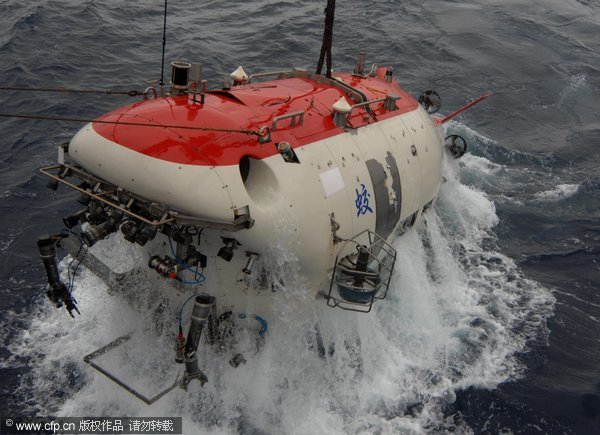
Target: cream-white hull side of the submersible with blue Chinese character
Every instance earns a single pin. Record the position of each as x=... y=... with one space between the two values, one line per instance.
x=346 y=176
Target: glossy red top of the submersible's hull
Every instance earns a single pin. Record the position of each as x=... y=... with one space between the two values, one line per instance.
x=246 y=107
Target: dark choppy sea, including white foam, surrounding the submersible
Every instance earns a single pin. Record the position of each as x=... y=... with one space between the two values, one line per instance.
x=493 y=321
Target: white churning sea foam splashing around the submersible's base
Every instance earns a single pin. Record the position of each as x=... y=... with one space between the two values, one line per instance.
x=456 y=316
